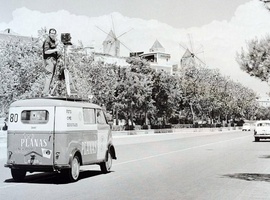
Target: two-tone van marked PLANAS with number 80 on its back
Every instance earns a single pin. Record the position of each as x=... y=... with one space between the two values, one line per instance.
x=57 y=134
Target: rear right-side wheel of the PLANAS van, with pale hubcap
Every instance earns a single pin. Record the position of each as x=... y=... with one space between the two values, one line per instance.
x=73 y=173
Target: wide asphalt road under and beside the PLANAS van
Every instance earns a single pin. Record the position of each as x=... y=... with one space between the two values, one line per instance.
x=210 y=166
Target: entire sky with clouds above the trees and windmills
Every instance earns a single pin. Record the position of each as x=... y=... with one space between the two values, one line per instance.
x=221 y=28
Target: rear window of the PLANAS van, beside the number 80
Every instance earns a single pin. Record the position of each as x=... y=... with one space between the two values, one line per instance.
x=35 y=116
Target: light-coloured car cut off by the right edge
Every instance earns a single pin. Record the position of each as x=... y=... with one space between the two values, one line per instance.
x=262 y=130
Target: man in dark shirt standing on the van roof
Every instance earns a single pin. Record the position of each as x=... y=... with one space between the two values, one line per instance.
x=50 y=55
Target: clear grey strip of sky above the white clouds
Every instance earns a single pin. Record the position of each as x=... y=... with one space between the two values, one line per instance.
x=177 y=13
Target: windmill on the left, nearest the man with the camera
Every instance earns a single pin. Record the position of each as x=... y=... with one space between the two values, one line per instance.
x=111 y=45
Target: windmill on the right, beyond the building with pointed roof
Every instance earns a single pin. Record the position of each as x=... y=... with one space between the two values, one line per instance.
x=190 y=56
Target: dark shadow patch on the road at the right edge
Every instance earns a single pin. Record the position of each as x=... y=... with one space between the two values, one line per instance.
x=249 y=176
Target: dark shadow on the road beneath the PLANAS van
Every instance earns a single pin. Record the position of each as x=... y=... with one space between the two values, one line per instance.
x=54 y=177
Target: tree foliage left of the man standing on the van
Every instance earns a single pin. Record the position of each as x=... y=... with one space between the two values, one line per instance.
x=21 y=67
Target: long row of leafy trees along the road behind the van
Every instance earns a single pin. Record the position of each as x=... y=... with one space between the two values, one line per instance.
x=135 y=93
